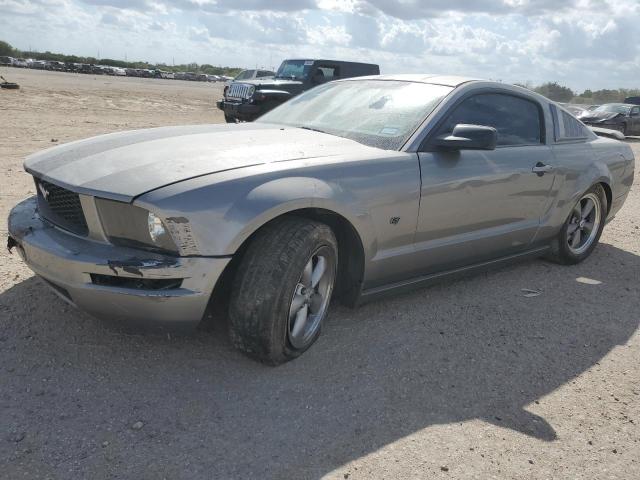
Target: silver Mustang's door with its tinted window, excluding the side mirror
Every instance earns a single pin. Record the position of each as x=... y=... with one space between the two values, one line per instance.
x=478 y=205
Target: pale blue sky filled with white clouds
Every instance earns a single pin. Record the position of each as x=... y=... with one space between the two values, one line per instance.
x=579 y=43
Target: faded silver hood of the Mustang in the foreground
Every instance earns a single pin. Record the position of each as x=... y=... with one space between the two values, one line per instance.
x=122 y=166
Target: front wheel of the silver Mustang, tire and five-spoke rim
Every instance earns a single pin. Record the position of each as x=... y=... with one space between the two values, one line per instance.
x=282 y=289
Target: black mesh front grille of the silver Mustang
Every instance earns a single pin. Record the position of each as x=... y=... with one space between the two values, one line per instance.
x=62 y=207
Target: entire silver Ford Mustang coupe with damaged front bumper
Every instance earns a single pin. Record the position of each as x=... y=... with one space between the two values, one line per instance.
x=352 y=189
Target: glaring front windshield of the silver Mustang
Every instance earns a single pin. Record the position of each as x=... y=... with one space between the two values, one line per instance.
x=382 y=114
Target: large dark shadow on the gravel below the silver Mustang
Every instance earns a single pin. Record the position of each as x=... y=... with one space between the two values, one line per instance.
x=475 y=348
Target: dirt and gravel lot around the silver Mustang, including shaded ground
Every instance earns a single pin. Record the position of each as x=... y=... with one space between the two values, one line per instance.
x=467 y=379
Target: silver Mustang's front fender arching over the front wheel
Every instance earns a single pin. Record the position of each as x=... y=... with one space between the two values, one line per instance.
x=222 y=214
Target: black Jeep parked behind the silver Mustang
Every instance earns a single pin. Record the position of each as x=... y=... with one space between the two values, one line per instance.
x=248 y=99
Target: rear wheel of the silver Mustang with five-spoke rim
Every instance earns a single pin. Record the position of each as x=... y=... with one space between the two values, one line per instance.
x=582 y=229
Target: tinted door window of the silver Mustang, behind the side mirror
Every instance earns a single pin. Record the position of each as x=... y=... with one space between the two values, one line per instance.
x=516 y=119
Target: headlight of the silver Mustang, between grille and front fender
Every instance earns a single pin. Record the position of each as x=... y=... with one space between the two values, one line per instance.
x=132 y=226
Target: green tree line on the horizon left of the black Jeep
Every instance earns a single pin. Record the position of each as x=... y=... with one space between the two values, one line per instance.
x=9 y=51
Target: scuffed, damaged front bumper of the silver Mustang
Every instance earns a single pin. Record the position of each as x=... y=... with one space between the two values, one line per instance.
x=113 y=282
